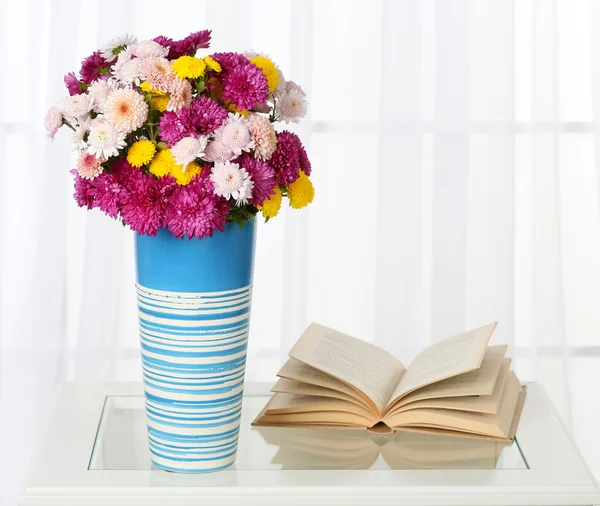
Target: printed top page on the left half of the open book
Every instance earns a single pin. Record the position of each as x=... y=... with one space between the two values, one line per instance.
x=368 y=368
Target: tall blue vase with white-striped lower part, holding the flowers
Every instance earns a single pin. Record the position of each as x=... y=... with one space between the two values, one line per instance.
x=194 y=311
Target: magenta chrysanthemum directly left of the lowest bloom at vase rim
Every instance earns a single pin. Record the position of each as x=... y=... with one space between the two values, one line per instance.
x=145 y=201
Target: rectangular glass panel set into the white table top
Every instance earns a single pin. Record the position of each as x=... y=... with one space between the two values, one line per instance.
x=121 y=445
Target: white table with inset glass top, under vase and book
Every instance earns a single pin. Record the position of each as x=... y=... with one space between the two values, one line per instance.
x=93 y=452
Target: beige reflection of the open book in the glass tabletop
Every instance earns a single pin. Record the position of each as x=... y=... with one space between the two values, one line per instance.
x=303 y=449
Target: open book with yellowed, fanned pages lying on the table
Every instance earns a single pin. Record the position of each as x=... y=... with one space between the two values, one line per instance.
x=459 y=385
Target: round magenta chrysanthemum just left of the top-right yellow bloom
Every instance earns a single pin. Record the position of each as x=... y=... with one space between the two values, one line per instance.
x=246 y=86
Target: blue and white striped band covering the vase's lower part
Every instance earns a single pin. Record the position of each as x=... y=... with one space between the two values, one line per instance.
x=194 y=359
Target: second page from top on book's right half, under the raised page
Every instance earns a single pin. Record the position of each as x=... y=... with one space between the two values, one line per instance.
x=481 y=381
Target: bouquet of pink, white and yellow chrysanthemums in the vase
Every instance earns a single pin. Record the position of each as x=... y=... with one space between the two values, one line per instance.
x=166 y=138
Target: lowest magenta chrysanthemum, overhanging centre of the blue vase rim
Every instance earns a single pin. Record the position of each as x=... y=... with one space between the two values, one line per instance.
x=194 y=210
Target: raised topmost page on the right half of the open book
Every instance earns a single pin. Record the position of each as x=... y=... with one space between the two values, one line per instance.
x=450 y=357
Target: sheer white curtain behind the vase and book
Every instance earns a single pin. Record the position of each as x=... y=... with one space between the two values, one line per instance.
x=454 y=147
